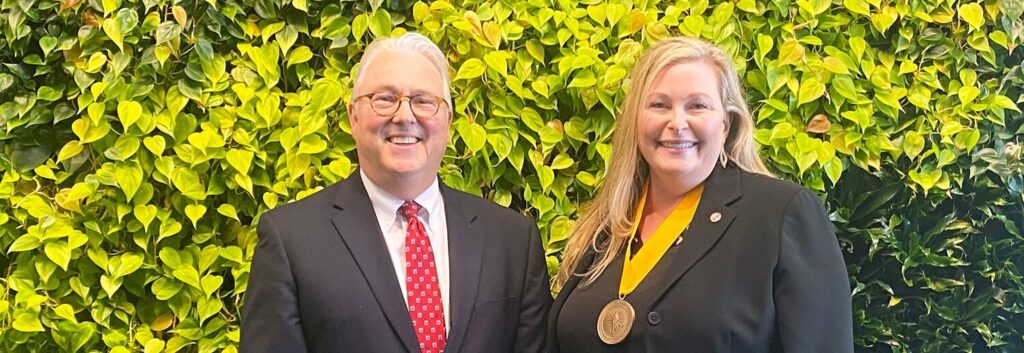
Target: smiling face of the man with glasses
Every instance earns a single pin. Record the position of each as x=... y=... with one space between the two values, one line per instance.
x=400 y=148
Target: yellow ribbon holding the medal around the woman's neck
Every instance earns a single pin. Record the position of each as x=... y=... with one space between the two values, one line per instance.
x=635 y=269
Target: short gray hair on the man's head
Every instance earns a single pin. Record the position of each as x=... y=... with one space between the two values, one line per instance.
x=410 y=42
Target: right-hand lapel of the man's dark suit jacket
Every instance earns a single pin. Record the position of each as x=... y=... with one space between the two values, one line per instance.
x=465 y=259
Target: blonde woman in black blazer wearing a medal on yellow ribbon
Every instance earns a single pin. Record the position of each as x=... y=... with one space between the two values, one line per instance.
x=722 y=256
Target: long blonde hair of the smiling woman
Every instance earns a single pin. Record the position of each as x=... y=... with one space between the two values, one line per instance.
x=613 y=208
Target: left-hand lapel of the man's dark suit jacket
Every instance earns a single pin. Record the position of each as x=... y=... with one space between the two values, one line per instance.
x=357 y=225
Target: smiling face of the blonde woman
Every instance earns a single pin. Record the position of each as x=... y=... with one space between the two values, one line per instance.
x=682 y=123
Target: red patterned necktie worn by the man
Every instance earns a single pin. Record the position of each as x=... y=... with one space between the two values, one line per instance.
x=421 y=284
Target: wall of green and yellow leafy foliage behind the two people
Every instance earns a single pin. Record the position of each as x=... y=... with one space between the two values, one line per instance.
x=142 y=140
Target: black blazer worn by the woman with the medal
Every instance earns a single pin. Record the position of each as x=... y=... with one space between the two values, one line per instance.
x=769 y=277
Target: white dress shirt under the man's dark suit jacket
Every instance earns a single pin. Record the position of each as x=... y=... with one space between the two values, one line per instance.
x=394 y=228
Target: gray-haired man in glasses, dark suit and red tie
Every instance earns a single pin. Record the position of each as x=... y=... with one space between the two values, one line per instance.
x=392 y=260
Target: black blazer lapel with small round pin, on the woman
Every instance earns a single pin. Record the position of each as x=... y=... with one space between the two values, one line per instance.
x=721 y=190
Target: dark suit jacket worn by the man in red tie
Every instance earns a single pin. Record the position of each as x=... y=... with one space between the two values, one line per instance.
x=322 y=280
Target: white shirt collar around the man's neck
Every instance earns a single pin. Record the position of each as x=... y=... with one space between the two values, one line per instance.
x=387 y=206
